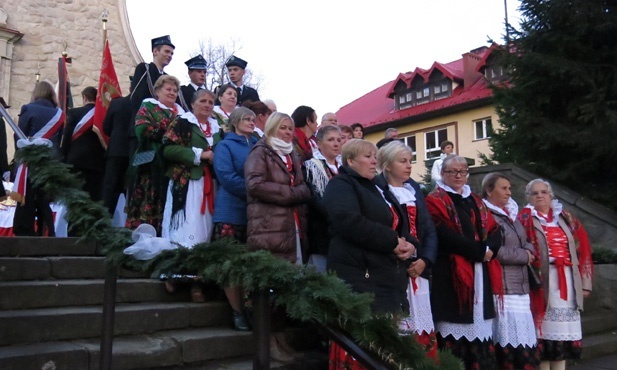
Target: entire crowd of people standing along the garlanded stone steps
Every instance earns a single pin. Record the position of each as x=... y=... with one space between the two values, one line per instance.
x=454 y=268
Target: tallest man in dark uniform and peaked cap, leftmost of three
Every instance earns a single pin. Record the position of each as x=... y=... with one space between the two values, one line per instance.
x=146 y=74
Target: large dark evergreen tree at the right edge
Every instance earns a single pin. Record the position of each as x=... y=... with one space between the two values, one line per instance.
x=559 y=110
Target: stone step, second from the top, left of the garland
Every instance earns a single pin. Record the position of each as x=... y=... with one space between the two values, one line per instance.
x=57 y=267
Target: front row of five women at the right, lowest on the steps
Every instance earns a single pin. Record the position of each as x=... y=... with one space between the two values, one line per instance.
x=481 y=253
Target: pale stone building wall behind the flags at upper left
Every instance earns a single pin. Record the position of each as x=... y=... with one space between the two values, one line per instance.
x=50 y=27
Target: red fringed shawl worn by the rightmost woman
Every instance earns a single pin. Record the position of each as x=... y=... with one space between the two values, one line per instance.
x=583 y=249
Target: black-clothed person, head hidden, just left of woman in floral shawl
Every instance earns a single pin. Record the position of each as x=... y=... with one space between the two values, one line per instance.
x=116 y=126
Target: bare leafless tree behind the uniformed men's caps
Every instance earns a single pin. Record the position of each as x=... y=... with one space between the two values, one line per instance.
x=216 y=55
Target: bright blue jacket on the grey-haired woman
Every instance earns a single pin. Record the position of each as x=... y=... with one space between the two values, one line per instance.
x=229 y=157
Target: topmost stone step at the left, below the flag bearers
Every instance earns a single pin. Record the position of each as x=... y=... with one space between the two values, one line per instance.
x=37 y=246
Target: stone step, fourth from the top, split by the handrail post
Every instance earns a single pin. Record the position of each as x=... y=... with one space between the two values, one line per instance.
x=66 y=323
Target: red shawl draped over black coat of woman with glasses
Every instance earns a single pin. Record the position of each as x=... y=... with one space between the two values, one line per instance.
x=443 y=212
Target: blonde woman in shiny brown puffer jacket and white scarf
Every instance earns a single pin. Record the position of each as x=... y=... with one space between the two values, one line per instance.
x=276 y=197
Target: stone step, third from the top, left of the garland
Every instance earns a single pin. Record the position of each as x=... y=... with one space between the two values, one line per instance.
x=61 y=293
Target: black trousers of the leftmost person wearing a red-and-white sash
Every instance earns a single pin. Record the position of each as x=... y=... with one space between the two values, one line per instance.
x=35 y=206
